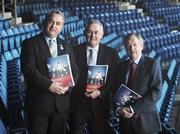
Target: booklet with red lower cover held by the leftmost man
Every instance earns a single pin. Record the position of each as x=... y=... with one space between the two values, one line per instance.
x=59 y=69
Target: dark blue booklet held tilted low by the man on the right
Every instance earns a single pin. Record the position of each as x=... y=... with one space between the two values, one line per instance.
x=125 y=96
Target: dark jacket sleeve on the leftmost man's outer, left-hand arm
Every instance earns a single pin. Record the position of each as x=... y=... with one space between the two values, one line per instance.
x=29 y=67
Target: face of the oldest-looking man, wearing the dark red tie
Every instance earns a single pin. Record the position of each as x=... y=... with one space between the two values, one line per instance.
x=134 y=47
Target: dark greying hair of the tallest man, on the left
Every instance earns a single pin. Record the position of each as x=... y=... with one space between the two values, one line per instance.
x=48 y=16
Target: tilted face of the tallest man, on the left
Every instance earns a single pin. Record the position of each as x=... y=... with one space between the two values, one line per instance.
x=54 y=25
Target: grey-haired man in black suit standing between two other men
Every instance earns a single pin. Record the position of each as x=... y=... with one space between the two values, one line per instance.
x=92 y=107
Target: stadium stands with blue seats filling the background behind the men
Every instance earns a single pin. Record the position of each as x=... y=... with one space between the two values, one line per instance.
x=157 y=20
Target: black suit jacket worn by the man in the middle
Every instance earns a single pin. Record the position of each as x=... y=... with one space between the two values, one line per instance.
x=100 y=106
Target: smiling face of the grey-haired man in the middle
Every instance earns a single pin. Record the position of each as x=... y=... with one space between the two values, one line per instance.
x=94 y=34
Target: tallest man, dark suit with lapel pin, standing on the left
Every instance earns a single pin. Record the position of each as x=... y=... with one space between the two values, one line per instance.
x=47 y=101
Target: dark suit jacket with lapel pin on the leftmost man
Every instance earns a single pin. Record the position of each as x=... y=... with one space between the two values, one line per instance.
x=34 y=54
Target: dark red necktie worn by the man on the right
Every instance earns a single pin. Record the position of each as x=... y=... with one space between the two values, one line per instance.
x=132 y=70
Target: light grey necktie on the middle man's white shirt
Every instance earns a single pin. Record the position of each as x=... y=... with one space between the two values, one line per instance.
x=92 y=57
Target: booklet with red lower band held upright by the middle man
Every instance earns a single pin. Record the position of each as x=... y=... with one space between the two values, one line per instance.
x=97 y=75
